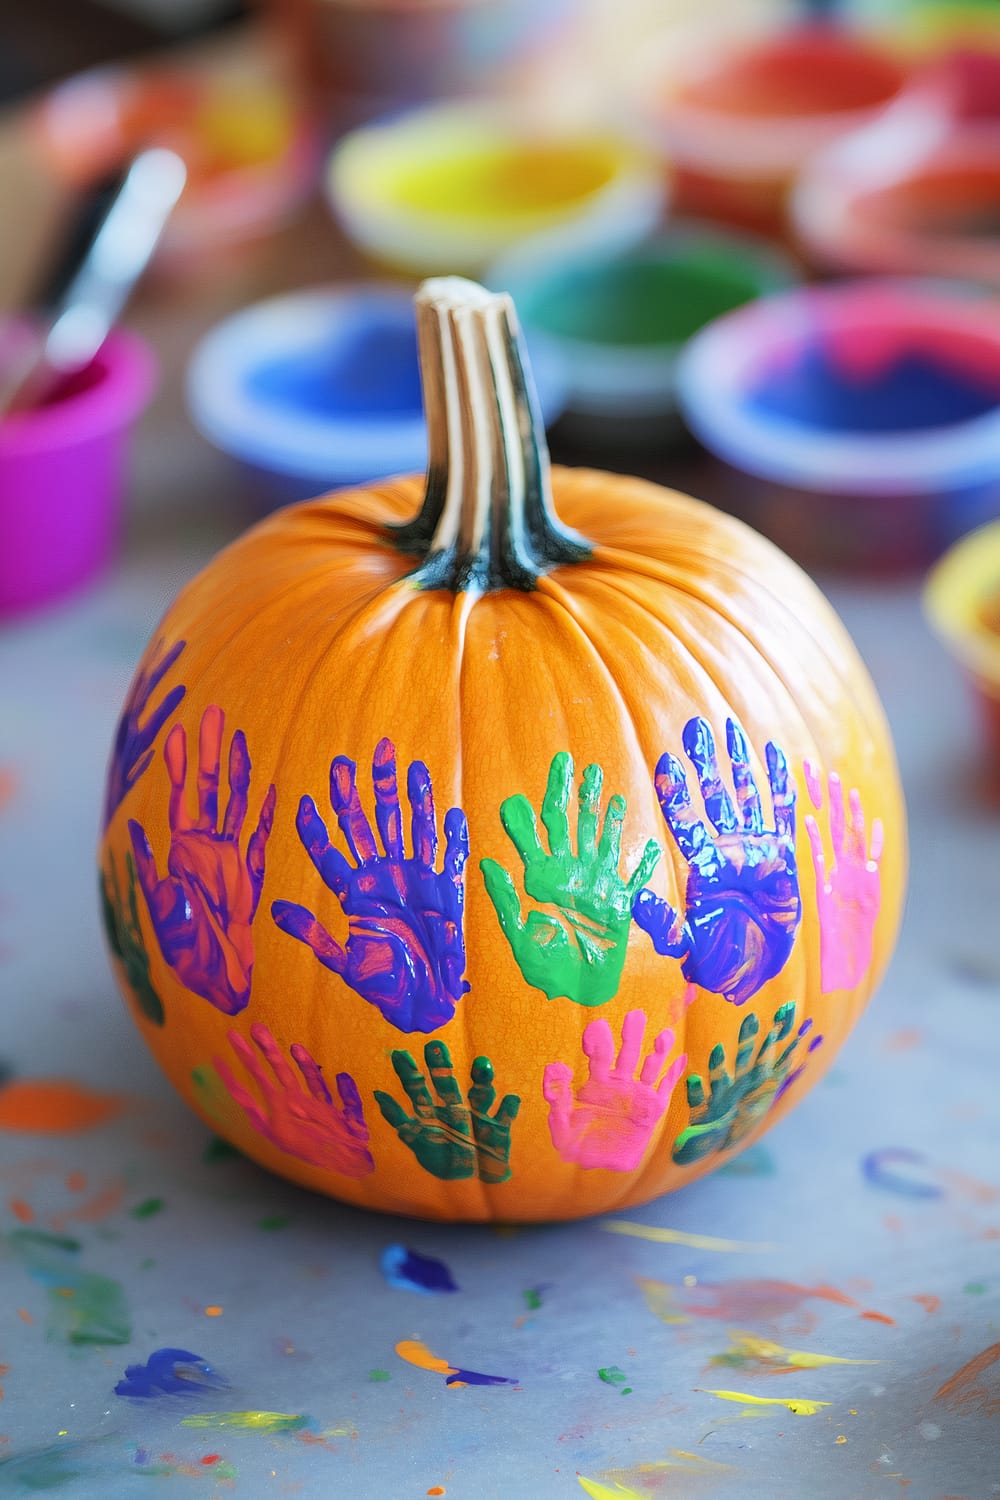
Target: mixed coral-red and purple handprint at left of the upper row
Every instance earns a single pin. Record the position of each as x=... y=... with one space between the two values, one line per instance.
x=203 y=911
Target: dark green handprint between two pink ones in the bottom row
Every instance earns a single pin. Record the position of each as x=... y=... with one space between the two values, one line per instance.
x=452 y=1139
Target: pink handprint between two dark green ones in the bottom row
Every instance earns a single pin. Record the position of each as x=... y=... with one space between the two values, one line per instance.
x=608 y=1123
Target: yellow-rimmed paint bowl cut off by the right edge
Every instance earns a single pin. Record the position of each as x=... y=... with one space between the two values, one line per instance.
x=963 y=605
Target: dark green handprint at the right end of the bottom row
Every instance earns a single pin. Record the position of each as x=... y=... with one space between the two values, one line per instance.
x=737 y=1103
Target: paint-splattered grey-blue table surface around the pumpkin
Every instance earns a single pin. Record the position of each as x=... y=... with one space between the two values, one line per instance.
x=866 y=1226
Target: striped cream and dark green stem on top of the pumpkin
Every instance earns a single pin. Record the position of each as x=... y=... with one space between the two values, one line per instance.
x=488 y=518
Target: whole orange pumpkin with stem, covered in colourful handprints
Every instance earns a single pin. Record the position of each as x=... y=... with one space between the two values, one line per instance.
x=512 y=845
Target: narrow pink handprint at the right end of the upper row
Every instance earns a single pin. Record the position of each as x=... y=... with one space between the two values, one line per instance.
x=849 y=893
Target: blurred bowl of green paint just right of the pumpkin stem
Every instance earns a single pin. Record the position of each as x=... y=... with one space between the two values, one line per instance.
x=620 y=320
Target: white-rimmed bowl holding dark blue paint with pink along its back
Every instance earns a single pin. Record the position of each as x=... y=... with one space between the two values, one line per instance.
x=860 y=422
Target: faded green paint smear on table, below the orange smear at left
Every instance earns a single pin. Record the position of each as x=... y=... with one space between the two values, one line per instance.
x=83 y=1306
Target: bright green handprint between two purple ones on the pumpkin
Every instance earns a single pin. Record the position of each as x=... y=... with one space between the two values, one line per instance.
x=581 y=952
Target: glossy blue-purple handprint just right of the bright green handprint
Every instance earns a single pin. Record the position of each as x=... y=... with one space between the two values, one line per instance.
x=743 y=889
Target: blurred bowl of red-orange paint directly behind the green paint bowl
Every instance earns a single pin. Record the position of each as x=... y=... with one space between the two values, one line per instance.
x=738 y=122
